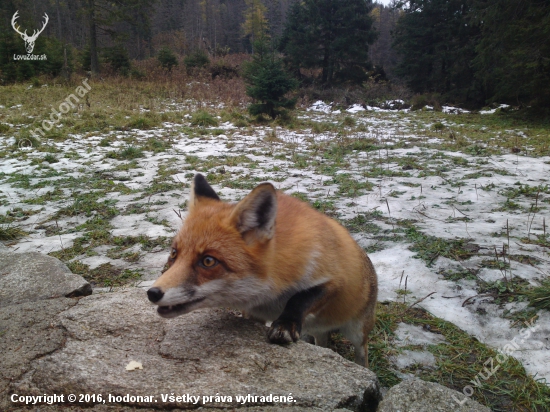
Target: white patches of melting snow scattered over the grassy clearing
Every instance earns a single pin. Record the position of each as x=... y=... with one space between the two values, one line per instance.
x=463 y=200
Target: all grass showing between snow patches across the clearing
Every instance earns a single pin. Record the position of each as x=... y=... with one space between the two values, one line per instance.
x=352 y=157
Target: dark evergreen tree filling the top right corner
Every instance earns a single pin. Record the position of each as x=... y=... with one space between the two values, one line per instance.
x=513 y=54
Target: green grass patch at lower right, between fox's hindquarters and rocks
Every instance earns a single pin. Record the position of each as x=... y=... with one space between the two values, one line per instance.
x=458 y=361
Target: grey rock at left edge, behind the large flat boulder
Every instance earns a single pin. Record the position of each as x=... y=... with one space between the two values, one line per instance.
x=32 y=276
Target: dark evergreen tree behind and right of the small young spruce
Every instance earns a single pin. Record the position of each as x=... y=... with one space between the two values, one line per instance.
x=330 y=34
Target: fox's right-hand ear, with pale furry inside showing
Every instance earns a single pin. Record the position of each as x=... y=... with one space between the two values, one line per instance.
x=254 y=216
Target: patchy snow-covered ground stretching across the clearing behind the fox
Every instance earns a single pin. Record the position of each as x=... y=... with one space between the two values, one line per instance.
x=386 y=167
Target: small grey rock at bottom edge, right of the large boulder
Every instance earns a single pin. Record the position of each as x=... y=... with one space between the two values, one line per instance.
x=416 y=395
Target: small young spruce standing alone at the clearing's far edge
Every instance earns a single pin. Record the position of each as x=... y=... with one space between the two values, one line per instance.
x=268 y=82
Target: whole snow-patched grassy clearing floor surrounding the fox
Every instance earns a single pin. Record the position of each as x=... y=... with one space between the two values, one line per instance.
x=451 y=207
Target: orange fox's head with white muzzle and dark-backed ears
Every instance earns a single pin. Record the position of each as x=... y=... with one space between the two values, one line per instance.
x=214 y=258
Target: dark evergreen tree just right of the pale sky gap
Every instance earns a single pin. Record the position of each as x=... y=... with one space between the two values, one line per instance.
x=436 y=43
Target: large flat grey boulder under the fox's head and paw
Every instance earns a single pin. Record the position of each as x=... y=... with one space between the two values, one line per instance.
x=204 y=353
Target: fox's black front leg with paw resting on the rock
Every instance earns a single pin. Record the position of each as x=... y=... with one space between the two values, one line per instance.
x=288 y=326
